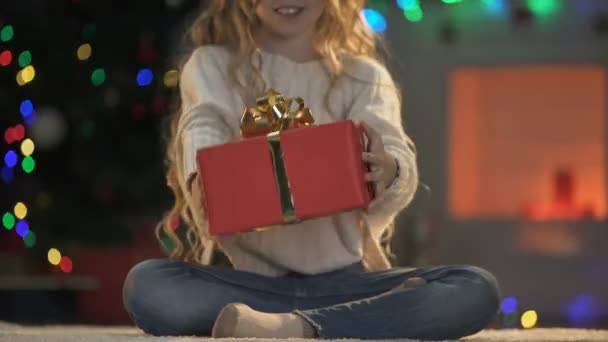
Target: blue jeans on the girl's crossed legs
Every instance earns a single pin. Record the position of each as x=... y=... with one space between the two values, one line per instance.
x=169 y=297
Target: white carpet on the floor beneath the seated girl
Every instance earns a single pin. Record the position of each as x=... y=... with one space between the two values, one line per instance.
x=16 y=333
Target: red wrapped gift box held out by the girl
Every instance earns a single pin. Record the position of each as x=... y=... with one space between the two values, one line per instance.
x=324 y=168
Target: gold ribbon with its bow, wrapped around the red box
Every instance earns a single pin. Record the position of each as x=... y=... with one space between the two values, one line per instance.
x=273 y=114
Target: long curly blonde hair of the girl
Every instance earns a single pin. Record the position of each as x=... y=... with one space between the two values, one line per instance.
x=232 y=23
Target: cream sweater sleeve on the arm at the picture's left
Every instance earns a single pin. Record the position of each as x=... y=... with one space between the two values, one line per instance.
x=206 y=101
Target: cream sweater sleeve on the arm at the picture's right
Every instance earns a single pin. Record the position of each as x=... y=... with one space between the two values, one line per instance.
x=377 y=103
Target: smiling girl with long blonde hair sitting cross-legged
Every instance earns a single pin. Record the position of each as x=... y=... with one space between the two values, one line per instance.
x=325 y=277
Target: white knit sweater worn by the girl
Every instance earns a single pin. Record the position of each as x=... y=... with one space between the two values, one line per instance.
x=212 y=108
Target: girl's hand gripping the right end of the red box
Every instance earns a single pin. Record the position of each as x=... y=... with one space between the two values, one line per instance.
x=383 y=164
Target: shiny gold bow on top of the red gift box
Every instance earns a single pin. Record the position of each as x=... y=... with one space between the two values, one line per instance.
x=273 y=113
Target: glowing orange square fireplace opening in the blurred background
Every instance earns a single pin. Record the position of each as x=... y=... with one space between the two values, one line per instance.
x=511 y=130
